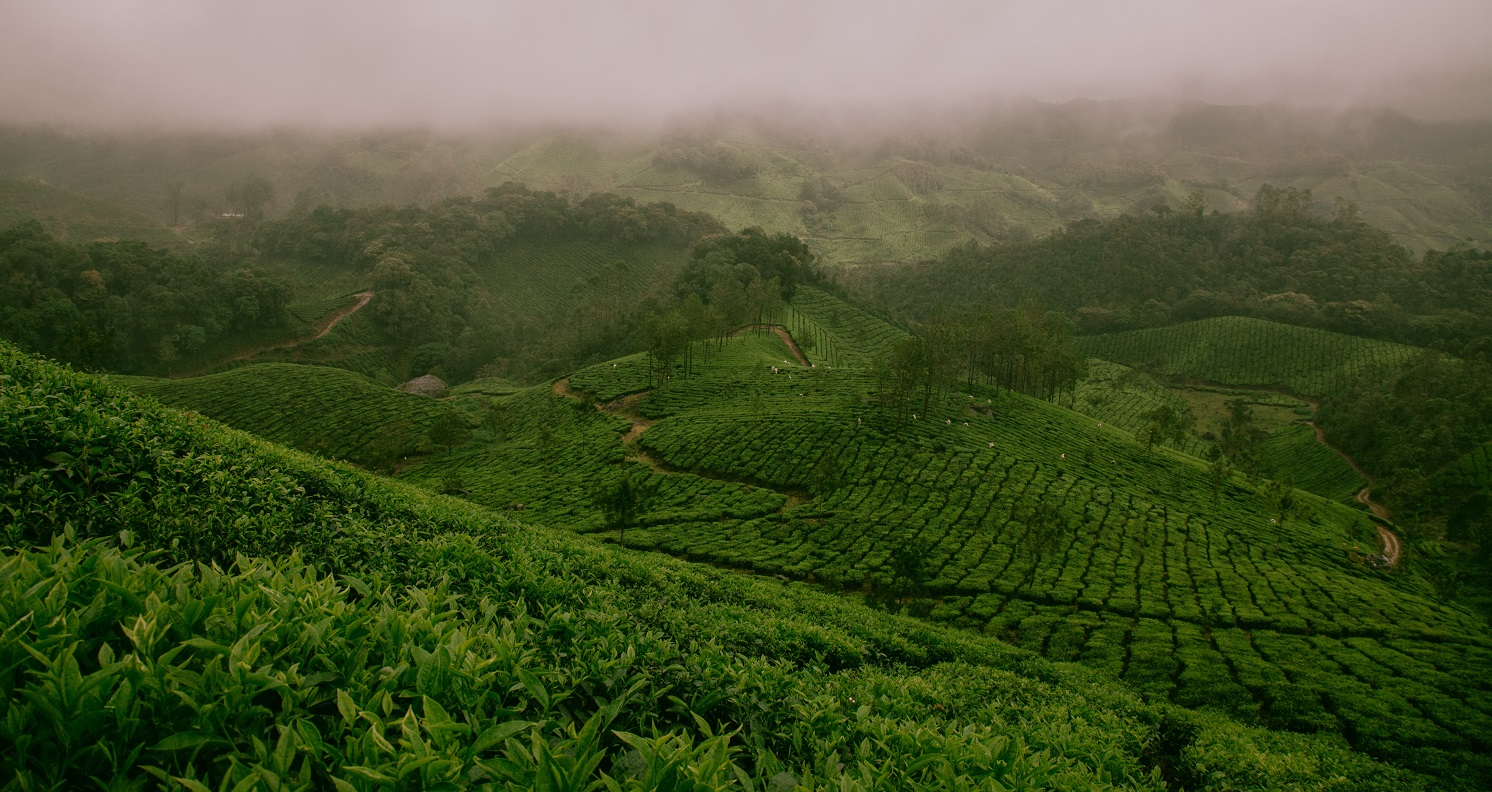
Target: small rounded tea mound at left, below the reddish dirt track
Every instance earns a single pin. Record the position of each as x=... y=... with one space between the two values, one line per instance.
x=323 y=411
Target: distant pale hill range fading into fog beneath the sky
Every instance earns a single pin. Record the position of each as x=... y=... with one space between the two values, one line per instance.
x=912 y=190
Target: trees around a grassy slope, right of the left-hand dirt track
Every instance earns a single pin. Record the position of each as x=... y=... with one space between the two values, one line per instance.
x=424 y=266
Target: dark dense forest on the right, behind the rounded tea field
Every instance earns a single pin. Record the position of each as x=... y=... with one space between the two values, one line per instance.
x=1282 y=260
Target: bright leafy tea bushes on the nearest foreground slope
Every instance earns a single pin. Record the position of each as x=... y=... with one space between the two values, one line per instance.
x=193 y=608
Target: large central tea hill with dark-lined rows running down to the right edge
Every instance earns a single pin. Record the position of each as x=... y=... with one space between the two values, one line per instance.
x=1032 y=523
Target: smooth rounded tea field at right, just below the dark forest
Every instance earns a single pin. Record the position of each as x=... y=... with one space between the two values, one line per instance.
x=1245 y=351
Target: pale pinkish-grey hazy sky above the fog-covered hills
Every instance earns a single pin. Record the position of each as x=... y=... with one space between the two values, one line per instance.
x=475 y=63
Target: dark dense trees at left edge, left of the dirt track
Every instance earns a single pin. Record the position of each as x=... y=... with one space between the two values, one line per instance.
x=122 y=305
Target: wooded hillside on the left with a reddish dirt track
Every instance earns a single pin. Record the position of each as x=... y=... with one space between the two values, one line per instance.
x=510 y=284
